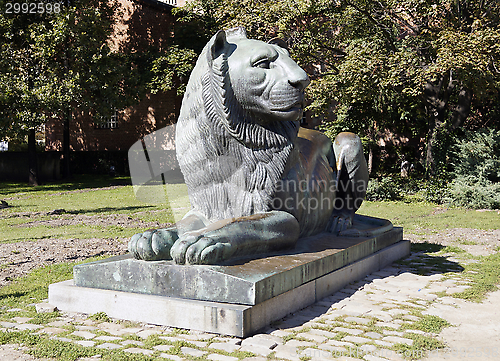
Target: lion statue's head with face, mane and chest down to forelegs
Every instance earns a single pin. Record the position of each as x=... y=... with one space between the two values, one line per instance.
x=238 y=123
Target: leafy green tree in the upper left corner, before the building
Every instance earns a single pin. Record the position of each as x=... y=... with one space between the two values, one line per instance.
x=59 y=60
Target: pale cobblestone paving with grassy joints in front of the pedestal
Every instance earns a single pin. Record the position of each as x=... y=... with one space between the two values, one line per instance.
x=392 y=314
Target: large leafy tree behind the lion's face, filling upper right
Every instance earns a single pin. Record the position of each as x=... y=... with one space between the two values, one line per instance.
x=415 y=67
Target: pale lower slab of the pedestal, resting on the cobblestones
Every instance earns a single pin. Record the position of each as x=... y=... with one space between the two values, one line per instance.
x=217 y=317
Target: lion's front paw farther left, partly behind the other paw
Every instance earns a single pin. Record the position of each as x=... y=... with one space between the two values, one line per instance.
x=152 y=245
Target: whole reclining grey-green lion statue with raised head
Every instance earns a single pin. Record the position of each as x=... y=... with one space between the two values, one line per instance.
x=256 y=180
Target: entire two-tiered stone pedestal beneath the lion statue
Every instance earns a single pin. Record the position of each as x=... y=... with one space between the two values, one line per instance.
x=236 y=299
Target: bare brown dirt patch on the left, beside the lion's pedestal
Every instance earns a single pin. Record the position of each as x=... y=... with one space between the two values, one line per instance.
x=17 y=259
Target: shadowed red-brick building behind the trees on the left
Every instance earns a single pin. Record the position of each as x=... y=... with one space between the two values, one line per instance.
x=144 y=23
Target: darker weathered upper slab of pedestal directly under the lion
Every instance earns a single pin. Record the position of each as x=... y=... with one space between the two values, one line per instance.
x=247 y=283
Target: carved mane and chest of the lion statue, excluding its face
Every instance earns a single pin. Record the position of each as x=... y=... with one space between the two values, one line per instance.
x=231 y=162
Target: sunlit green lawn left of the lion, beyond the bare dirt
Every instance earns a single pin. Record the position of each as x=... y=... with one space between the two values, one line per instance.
x=94 y=197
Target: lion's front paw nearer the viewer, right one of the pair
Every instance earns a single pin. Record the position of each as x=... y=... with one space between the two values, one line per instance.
x=200 y=250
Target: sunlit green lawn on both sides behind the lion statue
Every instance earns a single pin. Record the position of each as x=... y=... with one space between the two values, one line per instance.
x=97 y=198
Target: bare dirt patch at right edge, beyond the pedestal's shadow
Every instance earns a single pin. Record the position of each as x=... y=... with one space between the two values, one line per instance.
x=477 y=242
